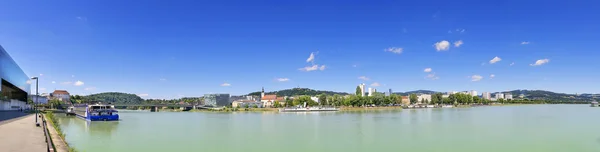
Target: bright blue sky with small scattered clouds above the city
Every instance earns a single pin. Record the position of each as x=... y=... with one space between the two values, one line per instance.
x=169 y=49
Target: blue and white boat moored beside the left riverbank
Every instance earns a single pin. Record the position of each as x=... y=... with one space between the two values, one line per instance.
x=96 y=112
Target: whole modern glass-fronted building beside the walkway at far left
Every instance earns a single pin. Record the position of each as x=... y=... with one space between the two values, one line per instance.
x=15 y=84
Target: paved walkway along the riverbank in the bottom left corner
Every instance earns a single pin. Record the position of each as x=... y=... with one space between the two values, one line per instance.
x=21 y=135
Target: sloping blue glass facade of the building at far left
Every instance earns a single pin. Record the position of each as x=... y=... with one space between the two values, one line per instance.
x=15 y=83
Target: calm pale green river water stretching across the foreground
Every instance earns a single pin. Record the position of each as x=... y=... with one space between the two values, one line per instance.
x=526 y=128
